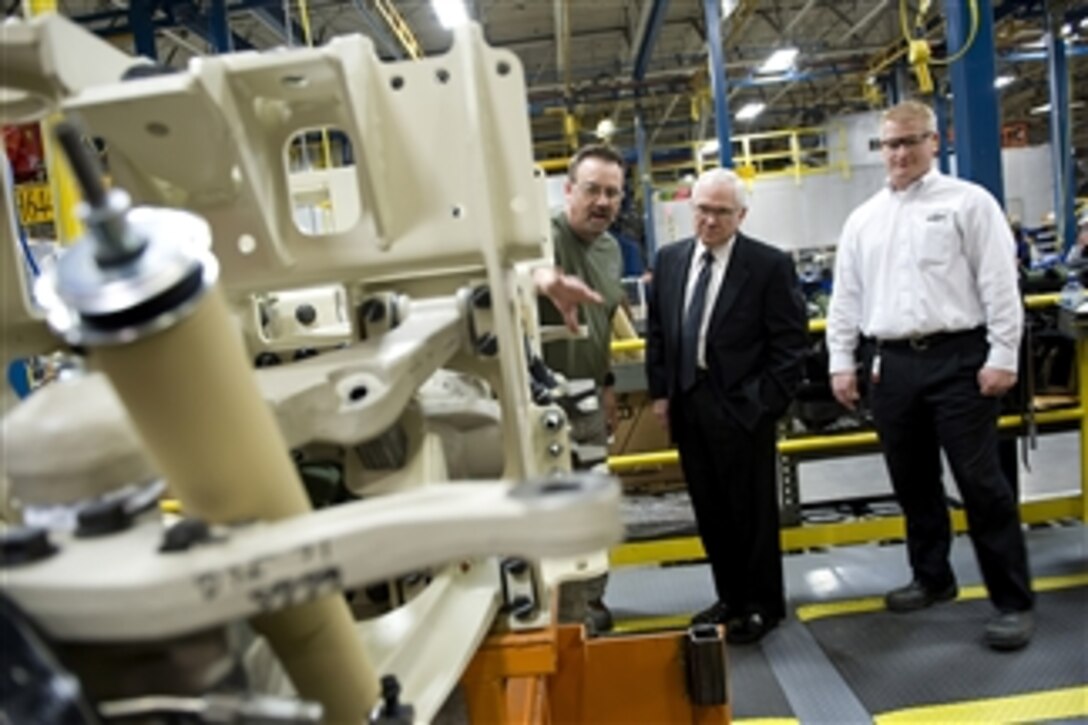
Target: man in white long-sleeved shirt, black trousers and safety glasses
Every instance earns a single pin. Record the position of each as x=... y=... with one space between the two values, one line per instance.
x=926 y=299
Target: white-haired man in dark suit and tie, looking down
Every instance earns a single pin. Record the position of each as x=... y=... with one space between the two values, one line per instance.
x=726 y=339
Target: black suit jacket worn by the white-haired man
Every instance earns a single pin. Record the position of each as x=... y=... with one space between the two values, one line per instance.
x=758 y=334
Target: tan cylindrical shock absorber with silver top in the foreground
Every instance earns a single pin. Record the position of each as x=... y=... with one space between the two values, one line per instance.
x=142 y=297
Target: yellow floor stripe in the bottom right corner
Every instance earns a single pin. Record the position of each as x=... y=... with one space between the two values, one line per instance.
x=1031 y=708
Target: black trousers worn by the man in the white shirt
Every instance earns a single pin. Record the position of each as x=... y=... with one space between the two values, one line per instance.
x=926 y=401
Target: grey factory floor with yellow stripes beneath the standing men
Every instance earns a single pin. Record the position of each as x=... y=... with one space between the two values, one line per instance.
x=840 y=658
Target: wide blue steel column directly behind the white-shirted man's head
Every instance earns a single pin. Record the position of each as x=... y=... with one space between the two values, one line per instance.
x=975 y=100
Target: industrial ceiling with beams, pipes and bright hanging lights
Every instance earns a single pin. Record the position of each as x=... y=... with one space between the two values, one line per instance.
x=590 y=60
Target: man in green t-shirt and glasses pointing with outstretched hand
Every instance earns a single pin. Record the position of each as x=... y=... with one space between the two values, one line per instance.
x=585 y=250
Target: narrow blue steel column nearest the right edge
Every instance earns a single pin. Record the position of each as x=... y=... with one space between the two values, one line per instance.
x=1060 y=146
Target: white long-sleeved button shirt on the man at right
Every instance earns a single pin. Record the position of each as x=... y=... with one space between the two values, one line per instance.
x=935 y=257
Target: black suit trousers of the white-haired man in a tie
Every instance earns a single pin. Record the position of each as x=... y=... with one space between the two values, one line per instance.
x=731 y=474
